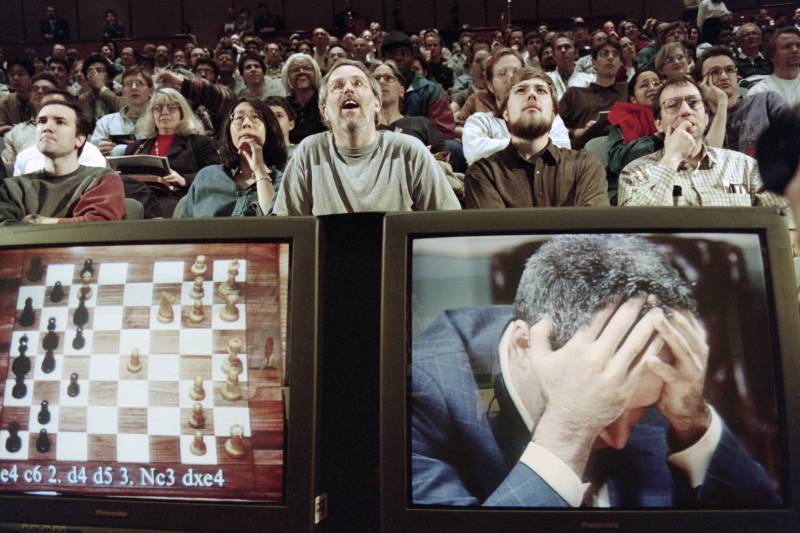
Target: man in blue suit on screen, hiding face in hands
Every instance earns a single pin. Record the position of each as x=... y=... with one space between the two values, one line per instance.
x=602 y=366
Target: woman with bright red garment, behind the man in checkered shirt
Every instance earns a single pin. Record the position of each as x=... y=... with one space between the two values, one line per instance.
x=632 y=133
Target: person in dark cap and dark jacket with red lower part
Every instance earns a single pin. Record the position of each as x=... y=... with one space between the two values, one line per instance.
x=423 y=97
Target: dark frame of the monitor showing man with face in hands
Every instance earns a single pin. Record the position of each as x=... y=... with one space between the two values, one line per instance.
x=397 y=514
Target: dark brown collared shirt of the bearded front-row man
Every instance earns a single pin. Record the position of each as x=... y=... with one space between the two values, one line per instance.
x=557 y=178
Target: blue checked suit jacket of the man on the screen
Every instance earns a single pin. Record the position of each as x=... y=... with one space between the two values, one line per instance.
x=461 y=457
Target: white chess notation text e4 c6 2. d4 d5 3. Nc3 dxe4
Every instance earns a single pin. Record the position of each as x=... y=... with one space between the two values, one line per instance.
x=108 y=476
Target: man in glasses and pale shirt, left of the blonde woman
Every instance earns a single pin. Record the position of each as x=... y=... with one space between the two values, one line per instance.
x=115 y=131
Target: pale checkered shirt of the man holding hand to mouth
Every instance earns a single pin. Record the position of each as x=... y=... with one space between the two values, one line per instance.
x=723 y=178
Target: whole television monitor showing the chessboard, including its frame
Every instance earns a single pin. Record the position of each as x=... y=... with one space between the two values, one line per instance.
x=158 y=375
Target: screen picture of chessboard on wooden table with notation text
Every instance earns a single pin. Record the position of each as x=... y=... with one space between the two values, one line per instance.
x=145 y=370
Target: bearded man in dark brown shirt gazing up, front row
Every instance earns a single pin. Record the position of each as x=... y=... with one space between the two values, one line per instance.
x=531 y=171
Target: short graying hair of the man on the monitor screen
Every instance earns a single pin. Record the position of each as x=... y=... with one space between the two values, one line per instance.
x=571 y=276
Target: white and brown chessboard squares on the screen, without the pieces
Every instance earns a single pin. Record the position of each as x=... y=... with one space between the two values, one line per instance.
x=121 y=416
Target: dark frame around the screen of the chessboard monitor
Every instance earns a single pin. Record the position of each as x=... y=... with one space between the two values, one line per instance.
x=296 y=512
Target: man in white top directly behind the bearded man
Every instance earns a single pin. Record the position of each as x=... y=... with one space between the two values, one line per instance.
x=486 y=133
